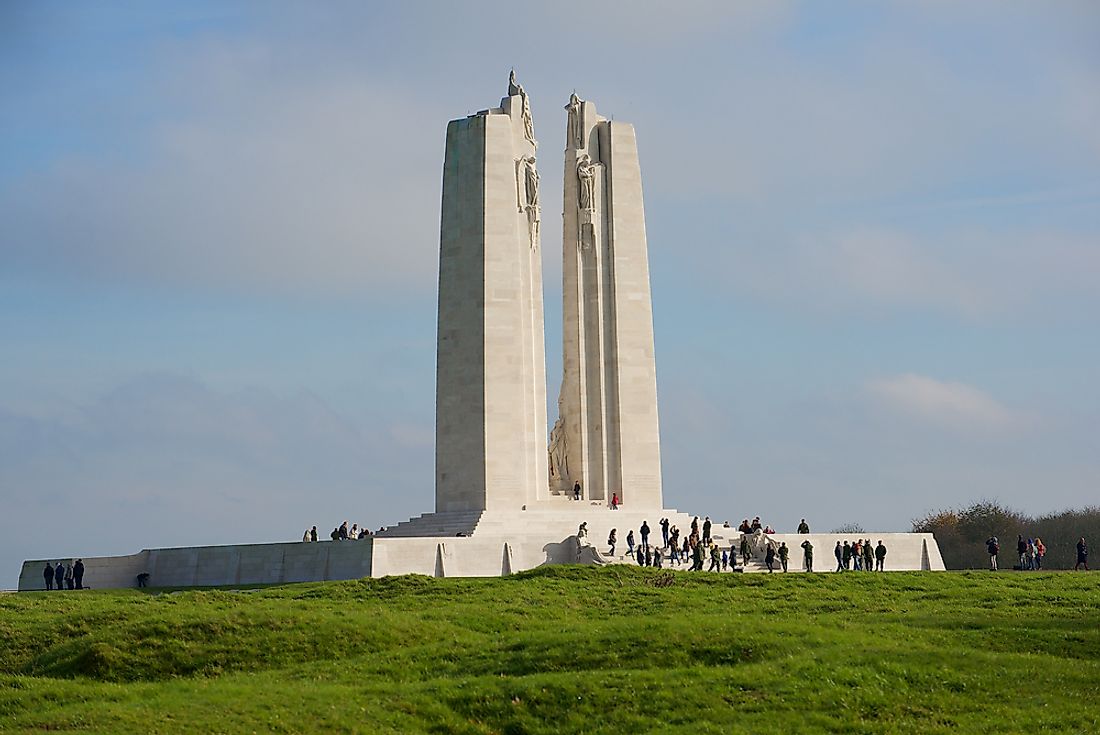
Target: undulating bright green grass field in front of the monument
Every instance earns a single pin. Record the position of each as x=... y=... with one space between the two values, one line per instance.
x=565 y=650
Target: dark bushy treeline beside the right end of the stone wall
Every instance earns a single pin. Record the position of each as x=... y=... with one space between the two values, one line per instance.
x=962 y=534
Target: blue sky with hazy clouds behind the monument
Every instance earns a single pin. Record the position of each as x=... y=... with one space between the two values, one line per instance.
x=874 y=231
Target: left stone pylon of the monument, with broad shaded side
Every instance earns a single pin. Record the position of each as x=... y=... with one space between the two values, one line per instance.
x=491 y=418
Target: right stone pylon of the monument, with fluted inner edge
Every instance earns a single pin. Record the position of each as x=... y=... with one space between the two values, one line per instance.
x=607 y=436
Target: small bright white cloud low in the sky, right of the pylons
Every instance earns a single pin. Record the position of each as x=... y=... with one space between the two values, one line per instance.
x=947 y=404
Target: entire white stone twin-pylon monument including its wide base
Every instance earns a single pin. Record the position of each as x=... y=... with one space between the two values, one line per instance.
x=504 y=502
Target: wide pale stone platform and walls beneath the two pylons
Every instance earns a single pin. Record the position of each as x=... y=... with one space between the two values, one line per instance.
x=493 y=544
